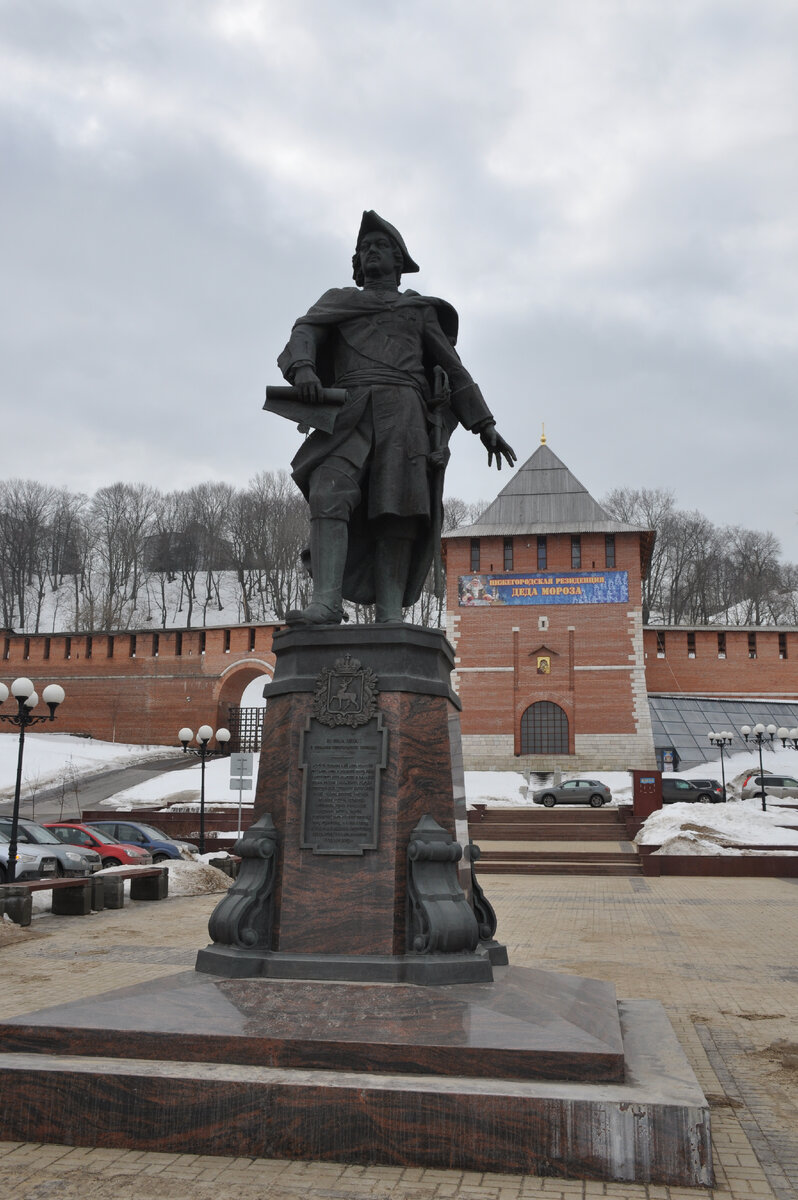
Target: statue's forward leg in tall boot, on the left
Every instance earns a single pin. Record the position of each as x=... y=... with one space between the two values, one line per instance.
x=334 y=495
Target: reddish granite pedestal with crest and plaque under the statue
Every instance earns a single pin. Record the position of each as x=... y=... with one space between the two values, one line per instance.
x=361 y=743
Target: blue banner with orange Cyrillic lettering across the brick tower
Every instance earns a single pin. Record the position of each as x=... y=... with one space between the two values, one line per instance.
x=544 y=589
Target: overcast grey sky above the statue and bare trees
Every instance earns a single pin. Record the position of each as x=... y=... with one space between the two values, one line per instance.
x=607 y=191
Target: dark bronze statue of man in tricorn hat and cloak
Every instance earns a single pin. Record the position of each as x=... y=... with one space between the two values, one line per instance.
x=374 y=479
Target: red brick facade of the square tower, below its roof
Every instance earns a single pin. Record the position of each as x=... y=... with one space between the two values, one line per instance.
x=579 y=637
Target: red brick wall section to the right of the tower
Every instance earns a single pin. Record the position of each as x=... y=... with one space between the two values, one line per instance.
x=707 y=675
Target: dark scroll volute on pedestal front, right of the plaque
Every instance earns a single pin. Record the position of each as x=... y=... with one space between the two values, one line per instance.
x=441 y=920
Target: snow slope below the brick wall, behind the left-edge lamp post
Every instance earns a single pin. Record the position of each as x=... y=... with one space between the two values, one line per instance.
x=53 y=759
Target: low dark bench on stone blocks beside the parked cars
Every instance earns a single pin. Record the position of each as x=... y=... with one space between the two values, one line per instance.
x=80 y=897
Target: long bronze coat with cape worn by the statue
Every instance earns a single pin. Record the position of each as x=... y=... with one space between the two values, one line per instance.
x=383 y=347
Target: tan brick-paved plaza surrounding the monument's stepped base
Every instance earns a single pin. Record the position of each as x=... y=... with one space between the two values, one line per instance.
x=721 y=955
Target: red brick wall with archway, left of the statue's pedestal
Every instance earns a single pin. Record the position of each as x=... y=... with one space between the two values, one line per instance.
x=119 y=689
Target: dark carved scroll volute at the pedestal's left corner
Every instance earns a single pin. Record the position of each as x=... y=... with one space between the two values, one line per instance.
x=245 y=916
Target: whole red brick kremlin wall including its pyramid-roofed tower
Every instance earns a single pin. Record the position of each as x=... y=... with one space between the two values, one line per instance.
x=554 y=665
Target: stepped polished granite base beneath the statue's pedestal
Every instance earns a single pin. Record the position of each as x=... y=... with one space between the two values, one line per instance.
x=537 y=1073
